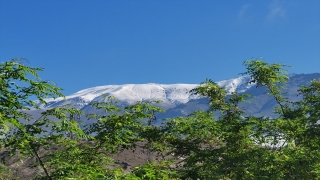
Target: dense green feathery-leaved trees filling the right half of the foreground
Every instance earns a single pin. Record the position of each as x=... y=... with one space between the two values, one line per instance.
x=240 y=146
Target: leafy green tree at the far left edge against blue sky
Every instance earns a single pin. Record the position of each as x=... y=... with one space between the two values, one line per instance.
x=21 y=134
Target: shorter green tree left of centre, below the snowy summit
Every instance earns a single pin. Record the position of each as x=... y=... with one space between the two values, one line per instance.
x=113 y=129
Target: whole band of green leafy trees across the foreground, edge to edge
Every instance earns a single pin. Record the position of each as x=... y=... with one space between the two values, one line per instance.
x=199 y=146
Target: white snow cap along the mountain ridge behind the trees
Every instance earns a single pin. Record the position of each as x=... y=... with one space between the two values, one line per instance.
x=170 y=94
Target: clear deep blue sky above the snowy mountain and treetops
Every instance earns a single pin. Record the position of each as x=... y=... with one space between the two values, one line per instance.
x=83 y=44
